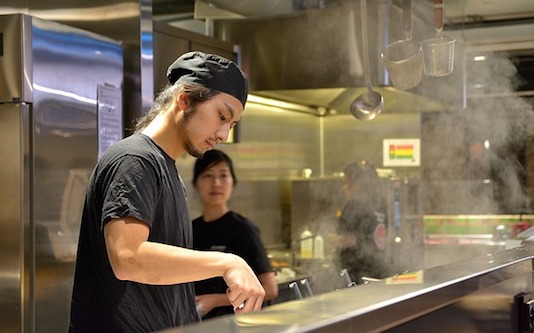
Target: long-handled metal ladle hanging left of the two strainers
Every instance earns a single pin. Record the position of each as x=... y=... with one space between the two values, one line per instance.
x=369 y=104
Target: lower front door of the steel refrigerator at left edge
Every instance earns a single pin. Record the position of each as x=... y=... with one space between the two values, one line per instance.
x=15 y=238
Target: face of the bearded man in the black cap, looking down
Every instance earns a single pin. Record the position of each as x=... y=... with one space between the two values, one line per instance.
x=210 y=123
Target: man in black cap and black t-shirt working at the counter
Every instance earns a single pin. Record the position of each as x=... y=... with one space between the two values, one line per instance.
x=135 y=265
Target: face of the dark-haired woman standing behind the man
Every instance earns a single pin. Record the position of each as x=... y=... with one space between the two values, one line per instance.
x=215 y=184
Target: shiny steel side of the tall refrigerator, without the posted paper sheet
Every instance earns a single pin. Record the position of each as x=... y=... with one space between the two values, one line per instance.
x=68 y=66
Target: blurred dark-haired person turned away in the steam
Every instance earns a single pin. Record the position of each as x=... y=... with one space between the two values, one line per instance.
x=361 y=234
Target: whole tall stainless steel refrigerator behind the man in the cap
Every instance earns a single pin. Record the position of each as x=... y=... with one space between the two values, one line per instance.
x=60 y=107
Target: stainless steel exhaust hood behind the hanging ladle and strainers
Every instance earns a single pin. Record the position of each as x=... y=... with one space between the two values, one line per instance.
x=313 y=56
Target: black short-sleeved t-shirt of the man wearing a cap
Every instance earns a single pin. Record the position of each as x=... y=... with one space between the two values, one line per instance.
x=134 y=178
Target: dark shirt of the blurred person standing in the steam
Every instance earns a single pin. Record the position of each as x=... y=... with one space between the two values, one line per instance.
x=367 y=222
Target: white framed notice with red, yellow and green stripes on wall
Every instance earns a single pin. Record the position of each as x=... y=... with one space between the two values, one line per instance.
x=401 y=152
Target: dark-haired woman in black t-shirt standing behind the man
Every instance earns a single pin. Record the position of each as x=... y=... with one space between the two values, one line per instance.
x=221 y=229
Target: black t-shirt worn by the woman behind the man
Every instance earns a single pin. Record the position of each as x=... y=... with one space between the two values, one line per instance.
x=230 y=233
